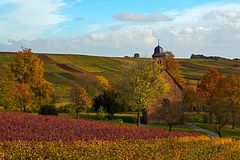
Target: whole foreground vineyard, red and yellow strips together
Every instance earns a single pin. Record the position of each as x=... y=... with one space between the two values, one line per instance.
x=27 y=136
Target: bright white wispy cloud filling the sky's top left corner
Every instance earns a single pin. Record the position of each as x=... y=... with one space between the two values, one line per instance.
x=28 y=19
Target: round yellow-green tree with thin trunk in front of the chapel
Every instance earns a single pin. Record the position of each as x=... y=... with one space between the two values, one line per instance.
x=141 y=83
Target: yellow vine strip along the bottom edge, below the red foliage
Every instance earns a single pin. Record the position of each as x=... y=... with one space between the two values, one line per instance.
x=167 y=148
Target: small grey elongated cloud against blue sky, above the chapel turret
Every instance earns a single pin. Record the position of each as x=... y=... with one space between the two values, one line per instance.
x=137 y=17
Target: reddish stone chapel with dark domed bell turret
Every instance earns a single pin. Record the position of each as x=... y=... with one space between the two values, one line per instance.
x=173 y=97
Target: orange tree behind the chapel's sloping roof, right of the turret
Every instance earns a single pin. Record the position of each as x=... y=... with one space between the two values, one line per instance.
x=172 y=66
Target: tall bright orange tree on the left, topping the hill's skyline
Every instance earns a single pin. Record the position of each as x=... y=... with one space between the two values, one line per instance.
x=27 y=70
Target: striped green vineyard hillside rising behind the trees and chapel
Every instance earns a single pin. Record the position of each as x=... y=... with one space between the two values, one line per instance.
x=62 y=70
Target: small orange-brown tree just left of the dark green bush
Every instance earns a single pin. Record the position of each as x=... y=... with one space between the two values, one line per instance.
x=80 y=99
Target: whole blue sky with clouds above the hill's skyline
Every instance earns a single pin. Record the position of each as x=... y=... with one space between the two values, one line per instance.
x=121 y=28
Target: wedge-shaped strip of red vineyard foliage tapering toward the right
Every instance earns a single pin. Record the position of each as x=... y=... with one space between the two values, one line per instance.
x=27 y=127
